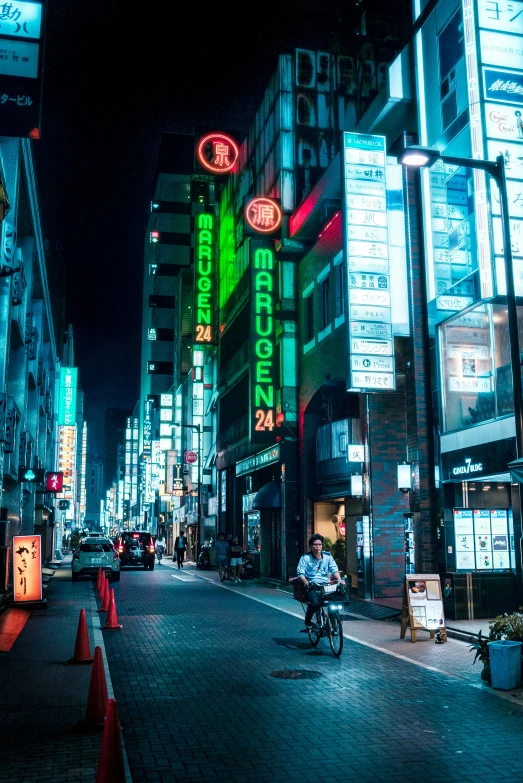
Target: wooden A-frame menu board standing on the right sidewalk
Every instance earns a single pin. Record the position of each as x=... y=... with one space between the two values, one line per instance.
x=422 y=605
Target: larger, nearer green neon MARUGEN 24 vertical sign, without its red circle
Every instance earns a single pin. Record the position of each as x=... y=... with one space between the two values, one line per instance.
x=262 y=369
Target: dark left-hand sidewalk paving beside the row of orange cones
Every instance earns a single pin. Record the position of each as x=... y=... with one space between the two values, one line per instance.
x=42 y=699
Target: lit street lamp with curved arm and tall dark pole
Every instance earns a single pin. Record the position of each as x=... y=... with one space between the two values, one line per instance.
x=424 y=157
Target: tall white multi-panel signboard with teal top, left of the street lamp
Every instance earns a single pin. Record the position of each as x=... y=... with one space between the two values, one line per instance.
x=371 y=354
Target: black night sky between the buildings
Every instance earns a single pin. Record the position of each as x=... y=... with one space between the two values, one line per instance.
x=116 y=76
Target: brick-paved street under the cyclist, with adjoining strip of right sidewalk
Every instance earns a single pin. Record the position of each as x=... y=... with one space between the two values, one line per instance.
x=192 y=673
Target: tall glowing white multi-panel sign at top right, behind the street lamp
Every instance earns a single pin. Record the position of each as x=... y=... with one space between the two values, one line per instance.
x=494 y=59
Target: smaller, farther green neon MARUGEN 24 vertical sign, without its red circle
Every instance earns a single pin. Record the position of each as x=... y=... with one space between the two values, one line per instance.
x=204 y=280
